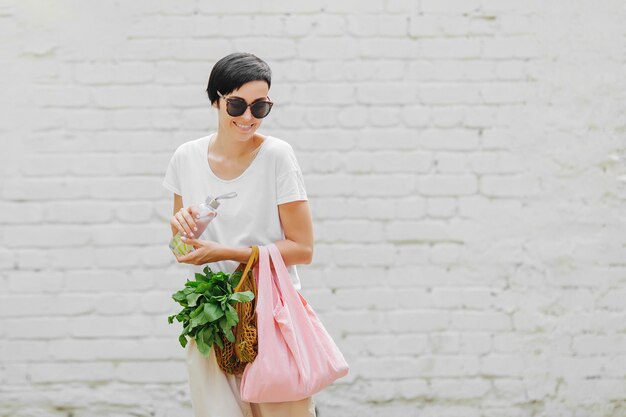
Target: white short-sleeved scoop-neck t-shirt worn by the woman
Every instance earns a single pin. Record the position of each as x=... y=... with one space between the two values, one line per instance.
x=274 y=177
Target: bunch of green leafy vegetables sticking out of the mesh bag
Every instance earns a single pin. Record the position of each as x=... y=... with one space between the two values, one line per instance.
x=208 y=314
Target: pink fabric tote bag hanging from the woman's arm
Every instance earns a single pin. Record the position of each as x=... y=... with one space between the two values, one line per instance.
x=297 y=357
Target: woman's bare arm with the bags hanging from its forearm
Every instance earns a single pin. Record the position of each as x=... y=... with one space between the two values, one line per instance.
x=296 y=248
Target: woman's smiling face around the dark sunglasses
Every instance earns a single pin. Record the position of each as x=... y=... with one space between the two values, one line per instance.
x=242 y=127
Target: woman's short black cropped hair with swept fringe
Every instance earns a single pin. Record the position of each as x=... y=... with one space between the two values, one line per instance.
x=235 y=70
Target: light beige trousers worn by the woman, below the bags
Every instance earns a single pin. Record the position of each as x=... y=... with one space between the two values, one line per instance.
x=216 y=394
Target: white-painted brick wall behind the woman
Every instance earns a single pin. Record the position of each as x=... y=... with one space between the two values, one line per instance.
x=465 y=165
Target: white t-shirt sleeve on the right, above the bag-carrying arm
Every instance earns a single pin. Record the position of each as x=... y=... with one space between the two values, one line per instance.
x=289 y=180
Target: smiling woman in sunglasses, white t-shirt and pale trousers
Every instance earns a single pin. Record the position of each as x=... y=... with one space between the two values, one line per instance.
x=271 y=207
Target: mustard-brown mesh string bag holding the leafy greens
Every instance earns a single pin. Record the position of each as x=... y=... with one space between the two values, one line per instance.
x=234 y=357
